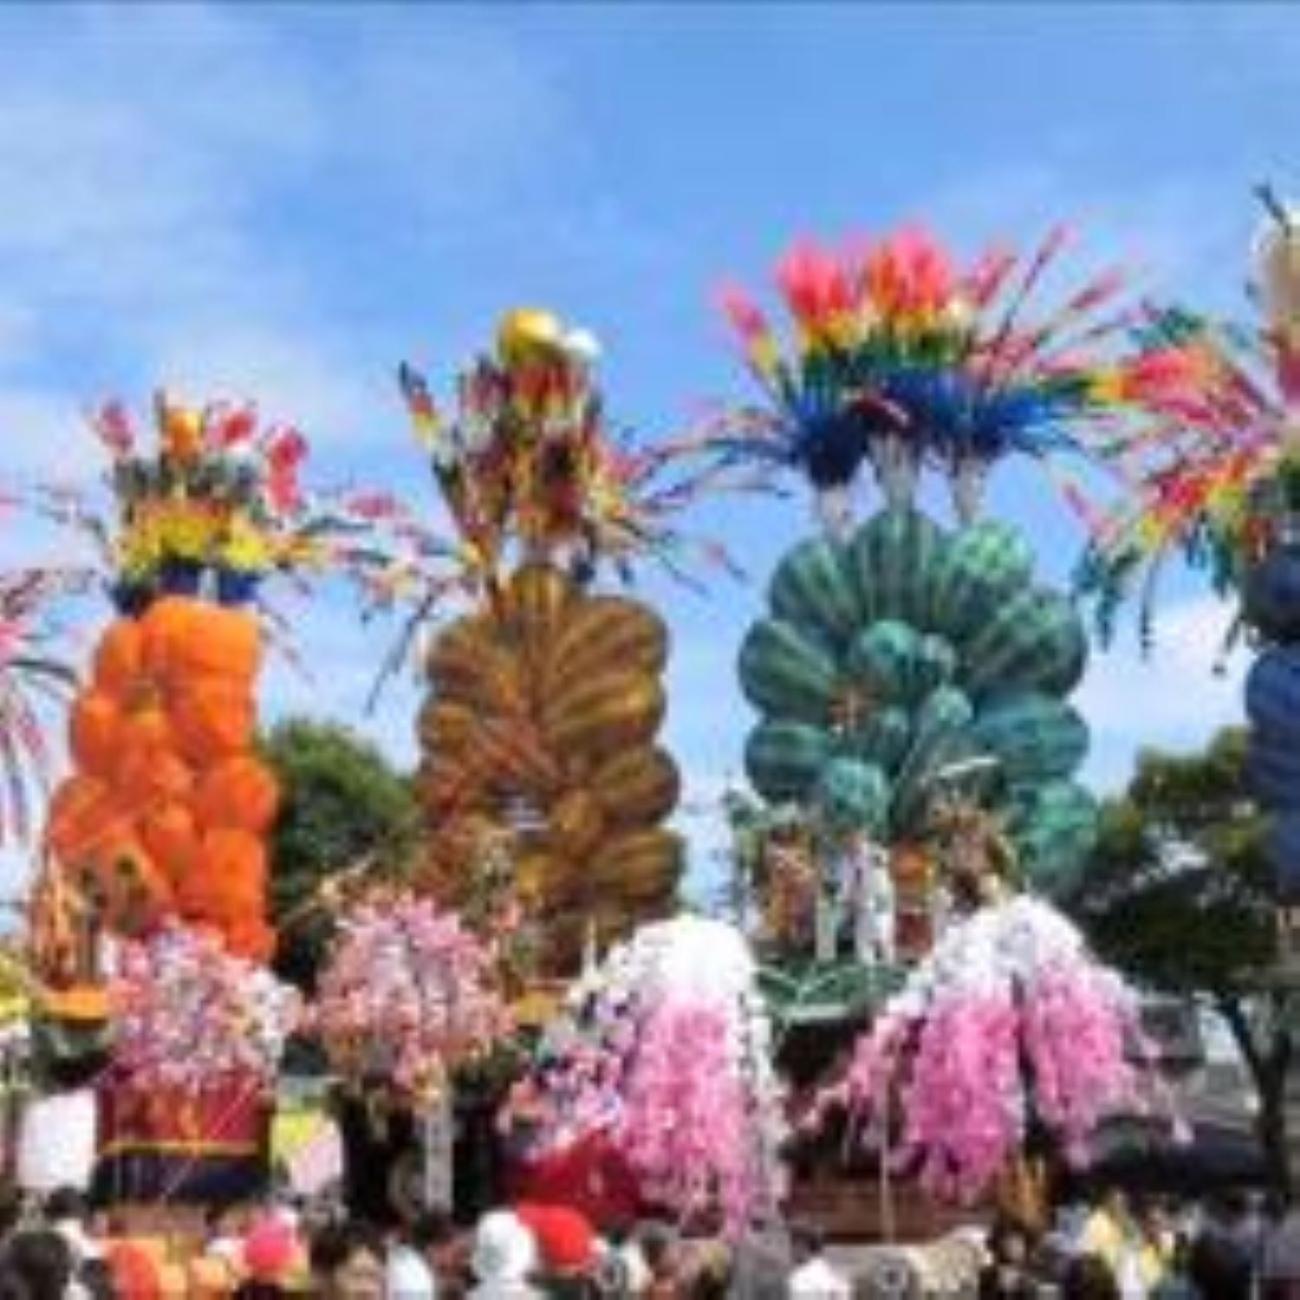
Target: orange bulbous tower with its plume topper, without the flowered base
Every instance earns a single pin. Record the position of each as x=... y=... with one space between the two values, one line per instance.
x=163 y=735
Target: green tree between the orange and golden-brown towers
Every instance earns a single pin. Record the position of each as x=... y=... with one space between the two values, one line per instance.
x=344 y=809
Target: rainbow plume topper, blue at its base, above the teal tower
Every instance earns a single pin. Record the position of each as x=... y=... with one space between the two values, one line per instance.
x=902 y=357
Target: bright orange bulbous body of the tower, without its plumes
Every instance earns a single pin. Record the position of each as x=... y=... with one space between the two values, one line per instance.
x=175 y=788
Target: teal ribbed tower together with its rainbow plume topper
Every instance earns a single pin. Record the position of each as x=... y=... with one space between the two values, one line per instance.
x=912 y=681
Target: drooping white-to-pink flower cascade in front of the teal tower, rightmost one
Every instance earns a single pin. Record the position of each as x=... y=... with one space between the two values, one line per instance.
x=1009 y=1020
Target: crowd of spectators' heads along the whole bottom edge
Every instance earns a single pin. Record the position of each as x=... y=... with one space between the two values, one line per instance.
x=1110 y=1250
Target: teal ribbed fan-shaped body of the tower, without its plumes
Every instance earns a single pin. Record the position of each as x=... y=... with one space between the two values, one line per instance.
x=912 y=664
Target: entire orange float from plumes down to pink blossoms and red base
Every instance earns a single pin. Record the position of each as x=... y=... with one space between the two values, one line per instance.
x=149 y=918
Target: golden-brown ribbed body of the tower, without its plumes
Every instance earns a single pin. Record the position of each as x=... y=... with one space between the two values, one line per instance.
x=541 y=722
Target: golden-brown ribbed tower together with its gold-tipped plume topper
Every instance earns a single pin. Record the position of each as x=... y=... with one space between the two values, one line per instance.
x=547 y=699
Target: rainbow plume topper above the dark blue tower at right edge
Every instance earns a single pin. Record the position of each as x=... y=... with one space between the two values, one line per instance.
x=1215 y=475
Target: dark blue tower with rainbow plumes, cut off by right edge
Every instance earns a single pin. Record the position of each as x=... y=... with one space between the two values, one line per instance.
x=1217 y=484
